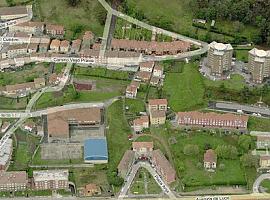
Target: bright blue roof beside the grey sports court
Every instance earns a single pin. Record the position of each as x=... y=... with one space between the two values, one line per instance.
x=95 y=149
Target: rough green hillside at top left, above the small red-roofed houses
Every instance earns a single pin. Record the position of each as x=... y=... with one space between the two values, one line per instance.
x=78 y=19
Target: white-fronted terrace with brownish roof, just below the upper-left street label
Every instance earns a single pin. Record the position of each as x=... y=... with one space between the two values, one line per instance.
x=15 y=50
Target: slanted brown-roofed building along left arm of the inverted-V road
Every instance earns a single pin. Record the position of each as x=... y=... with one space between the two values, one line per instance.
x=126 y=163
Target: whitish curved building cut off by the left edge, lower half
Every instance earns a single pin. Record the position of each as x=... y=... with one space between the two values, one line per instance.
x=5 y=155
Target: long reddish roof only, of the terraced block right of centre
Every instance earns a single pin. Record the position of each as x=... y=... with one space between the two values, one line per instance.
x=212 y=115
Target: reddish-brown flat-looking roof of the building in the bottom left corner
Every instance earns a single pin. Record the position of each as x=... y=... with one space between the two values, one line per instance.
x=18 y=177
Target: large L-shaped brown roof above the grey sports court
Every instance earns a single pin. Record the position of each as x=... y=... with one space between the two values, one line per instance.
x=58 y=122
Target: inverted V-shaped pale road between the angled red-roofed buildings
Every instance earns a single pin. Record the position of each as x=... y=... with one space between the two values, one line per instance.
x=130 y=177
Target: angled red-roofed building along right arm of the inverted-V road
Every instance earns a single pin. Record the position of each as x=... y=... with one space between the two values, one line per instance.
x=163 y=166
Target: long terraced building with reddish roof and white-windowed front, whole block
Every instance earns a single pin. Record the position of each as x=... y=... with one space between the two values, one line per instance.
x=212 y=120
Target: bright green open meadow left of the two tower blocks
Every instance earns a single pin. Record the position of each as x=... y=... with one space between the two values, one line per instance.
x=185 y=90
